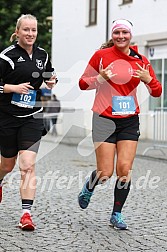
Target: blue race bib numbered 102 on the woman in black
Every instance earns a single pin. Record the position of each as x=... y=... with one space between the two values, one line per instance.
x=24 y=100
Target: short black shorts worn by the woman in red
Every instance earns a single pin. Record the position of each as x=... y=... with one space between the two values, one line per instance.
x=111 y=130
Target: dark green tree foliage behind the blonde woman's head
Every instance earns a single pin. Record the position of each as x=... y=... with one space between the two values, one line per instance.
x=10 y=11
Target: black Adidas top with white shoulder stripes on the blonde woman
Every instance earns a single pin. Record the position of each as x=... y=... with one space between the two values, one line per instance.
x=17 y=67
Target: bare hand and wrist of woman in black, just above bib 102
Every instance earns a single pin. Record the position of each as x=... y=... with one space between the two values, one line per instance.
x=22 y=88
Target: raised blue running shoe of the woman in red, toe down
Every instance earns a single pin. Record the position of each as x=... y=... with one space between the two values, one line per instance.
x=84 y=197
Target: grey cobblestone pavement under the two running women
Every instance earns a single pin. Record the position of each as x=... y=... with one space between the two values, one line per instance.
x=63 y=226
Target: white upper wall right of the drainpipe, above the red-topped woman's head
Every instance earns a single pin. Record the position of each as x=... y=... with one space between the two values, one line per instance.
x=147 y=16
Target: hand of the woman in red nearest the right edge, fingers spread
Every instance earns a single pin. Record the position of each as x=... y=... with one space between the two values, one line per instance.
x=143 y=73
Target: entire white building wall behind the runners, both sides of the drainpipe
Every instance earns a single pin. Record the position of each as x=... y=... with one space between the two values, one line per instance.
x=74 y=42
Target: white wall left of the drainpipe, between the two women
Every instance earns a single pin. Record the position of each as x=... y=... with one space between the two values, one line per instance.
x=72 y=45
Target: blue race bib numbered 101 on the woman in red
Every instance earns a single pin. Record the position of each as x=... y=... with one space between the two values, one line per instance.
x=123 y=105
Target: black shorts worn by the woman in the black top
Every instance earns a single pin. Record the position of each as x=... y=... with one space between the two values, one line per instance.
x=19 y=134
